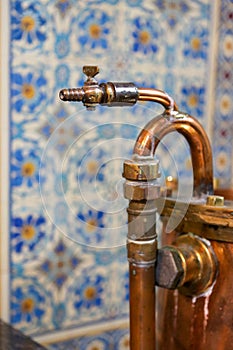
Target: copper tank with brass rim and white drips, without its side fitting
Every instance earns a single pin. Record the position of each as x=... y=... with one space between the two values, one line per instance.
x=204 y=322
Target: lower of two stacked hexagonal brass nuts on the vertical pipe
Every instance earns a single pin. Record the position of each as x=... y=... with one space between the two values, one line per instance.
x=138 y=191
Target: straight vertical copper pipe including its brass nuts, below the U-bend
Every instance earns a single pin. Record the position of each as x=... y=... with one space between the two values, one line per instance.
x=142 y=190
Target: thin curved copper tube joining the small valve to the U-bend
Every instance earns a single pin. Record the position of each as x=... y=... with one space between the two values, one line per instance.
x=159 y=96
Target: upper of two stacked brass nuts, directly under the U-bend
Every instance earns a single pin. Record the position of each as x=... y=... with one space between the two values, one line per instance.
x=141 y=170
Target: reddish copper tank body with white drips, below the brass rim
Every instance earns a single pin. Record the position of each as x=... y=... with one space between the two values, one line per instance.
x=191 y=323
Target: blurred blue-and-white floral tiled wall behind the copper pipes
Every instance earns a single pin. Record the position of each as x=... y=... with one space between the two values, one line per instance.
x=65 y=237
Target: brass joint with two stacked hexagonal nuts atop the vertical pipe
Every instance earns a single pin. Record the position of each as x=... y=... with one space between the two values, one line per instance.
x=141 y=189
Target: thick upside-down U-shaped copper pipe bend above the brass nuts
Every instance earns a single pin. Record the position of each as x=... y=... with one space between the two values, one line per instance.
x=201 y=153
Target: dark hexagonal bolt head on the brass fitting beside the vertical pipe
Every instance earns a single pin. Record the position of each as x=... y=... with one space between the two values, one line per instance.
x=169 y=268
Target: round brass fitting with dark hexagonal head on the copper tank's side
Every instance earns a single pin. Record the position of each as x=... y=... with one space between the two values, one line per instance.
x=190 y=265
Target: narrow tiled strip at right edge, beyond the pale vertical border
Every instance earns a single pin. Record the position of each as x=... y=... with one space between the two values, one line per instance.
x=223 y=125
